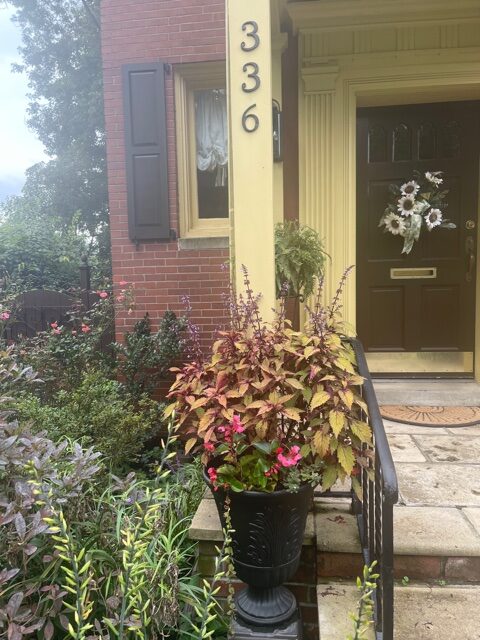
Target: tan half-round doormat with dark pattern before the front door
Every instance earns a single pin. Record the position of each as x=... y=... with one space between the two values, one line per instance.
x=432 y=416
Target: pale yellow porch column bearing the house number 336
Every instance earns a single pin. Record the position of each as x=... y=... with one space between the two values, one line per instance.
x=249 y=79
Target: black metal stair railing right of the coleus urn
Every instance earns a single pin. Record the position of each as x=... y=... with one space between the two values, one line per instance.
x=375 y=512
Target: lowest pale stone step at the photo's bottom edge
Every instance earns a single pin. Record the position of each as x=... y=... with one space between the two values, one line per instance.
x=422 y=611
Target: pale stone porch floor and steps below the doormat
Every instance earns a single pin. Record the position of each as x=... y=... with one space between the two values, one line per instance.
x=437 y=538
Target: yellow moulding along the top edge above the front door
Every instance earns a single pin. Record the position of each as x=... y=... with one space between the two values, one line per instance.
x=330 y=14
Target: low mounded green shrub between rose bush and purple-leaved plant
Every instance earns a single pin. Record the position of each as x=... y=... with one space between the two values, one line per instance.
x=97 y=412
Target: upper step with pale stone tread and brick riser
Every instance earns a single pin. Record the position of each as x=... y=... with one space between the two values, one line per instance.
x=429 y=544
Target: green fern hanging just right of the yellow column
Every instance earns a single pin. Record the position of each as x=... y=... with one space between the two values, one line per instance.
x=299 y=259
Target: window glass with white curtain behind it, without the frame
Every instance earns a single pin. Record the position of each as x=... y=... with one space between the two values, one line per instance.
x=211 y=131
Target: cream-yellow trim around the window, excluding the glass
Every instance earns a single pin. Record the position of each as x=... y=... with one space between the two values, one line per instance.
x=190 y=78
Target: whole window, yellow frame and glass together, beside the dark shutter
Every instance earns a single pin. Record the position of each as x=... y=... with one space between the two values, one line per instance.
x=202 y=149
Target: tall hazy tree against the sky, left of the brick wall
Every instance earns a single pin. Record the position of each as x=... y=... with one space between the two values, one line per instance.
x=61 y=57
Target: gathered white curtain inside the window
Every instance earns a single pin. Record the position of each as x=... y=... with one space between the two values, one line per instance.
x=212 y=133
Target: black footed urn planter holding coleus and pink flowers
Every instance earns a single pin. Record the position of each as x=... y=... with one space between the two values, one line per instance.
x=268 y=531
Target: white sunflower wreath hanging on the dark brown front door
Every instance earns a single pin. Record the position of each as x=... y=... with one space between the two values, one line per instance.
x=418 y=203
